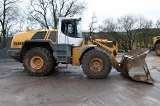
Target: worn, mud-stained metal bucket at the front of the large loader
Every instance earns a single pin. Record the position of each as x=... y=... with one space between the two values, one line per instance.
x=134 y=66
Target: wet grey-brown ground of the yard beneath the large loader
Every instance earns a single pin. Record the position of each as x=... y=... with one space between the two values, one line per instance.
x=70 y=87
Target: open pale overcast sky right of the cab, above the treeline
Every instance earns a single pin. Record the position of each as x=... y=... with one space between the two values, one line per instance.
x=103 y=9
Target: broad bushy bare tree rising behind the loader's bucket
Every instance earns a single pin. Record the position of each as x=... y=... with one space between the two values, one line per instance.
x=130 y=31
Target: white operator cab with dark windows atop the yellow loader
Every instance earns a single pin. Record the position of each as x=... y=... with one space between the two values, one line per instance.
x=69 y=31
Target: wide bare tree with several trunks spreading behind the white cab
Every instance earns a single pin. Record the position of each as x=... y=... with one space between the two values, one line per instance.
x=46 y=12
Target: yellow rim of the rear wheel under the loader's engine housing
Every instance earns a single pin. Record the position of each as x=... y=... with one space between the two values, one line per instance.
x=36 y=62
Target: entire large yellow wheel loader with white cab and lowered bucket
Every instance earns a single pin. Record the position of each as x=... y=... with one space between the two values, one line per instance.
x=42 y=50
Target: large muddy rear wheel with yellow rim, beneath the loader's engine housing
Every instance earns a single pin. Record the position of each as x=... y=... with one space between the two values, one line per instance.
x=38 y=61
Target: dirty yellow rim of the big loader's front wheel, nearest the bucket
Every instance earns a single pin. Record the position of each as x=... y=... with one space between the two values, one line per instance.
x=96 y=65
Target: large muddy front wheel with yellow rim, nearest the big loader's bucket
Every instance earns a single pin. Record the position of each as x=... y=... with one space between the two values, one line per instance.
x=96 y=64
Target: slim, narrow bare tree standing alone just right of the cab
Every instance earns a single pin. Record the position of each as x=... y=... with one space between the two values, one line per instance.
x=92 y=28
